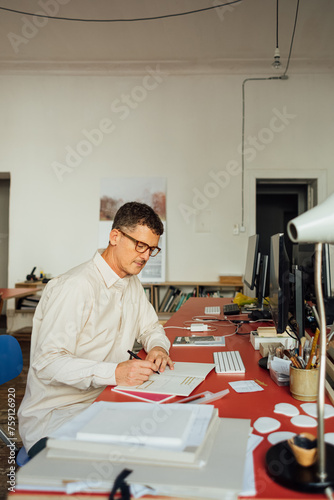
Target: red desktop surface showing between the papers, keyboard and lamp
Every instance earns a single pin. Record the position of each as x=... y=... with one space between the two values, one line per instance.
x=235 y=405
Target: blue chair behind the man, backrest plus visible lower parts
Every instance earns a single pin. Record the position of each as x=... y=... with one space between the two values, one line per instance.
x=11 y=364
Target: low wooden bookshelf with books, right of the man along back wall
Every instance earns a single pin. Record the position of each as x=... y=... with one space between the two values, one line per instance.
x=167 y=297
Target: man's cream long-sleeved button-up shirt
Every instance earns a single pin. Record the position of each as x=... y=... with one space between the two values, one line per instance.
x=83 y=326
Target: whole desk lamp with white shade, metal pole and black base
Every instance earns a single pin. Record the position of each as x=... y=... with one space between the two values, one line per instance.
x=314 y=226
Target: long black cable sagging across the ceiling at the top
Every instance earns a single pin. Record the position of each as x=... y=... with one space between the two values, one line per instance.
x=153 y=18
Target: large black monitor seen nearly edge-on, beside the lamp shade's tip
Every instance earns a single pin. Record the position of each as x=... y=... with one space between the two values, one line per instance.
x=279 y=285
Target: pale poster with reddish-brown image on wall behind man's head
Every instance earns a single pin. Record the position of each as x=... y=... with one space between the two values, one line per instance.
x=114 y=192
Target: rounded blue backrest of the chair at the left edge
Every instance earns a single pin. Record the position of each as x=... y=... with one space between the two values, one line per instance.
x=11 y=361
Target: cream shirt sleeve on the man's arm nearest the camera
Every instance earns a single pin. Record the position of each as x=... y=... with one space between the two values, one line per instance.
x=59 y=319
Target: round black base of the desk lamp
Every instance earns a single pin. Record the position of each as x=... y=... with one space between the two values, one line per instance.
x=284 y=469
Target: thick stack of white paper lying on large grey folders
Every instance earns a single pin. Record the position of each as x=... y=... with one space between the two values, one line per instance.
x=178 y=434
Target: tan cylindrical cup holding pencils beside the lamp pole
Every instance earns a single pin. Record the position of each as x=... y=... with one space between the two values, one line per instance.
x=304 y=383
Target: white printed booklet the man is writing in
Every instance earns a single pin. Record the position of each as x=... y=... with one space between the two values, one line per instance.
x=180 y=381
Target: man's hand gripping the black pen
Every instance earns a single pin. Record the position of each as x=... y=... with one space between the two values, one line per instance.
x=134 y=372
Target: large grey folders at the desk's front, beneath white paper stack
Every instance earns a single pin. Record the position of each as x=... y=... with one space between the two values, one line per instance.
x=221 y=477
